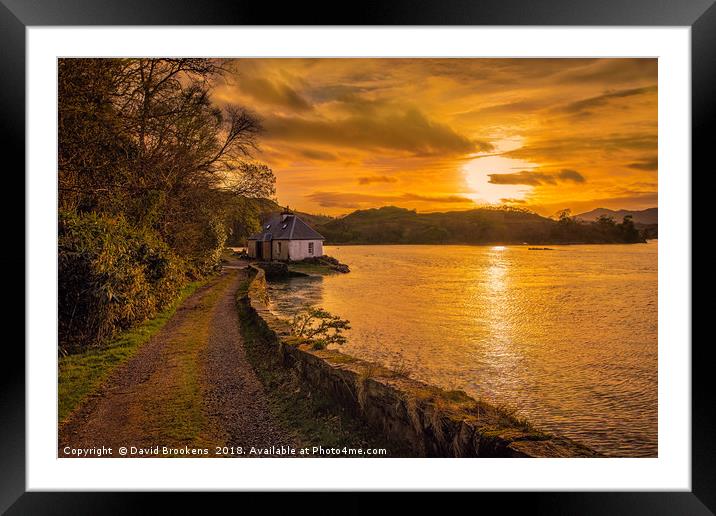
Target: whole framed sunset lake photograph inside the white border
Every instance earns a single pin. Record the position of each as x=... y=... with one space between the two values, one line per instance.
x=367 y=257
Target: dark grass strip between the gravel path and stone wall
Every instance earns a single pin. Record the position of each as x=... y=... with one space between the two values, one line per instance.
x=312 y=417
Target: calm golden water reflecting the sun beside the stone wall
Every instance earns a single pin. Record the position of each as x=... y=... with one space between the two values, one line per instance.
x=568 y=337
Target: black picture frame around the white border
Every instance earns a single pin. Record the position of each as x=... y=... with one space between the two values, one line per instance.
x=17 y=15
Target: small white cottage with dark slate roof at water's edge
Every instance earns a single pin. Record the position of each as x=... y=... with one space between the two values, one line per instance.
x=285 y=237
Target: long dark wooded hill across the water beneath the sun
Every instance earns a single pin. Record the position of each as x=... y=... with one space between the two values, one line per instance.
x=393 y=225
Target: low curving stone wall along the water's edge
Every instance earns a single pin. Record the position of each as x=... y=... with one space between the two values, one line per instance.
x=434 y=422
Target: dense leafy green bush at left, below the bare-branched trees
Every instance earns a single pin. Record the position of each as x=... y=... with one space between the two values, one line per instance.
x=111 y=275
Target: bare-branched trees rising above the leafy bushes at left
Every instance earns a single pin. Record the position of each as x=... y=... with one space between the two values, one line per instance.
x=142 y=138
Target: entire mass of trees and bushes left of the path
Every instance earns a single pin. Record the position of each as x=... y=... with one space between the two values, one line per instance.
x=153 y=174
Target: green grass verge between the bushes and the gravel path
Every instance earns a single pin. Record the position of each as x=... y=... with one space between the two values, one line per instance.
x=81 y=375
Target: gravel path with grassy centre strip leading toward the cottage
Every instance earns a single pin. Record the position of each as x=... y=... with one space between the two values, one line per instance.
x=189 y=386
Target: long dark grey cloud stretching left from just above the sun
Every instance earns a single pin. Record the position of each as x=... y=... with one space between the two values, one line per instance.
x=409 y=131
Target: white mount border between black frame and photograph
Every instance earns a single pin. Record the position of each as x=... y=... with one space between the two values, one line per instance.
x=671 y=470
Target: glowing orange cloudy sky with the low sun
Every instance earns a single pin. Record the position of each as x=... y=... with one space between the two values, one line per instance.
x=454 y=134
